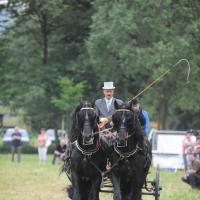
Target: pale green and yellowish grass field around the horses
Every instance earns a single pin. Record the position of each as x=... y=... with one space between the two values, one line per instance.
x=29 y=180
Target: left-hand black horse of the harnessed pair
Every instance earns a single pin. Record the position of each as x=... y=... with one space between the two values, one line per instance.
x=87 y=158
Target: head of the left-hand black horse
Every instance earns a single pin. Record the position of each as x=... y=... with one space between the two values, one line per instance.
x=86 y=118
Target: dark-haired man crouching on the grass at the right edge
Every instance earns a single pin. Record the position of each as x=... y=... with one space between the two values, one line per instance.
x=192 y=176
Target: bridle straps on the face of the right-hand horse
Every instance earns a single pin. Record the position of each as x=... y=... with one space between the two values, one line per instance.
x=122 y=126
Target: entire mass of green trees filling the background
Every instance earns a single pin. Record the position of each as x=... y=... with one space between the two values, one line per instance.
x=129 y=42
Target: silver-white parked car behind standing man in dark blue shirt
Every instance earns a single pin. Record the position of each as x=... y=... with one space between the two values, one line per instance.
x=25 y=139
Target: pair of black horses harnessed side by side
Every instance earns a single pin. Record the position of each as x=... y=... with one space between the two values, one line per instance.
x=129 y=154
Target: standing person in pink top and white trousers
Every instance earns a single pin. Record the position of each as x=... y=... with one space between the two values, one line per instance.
x=42 y=149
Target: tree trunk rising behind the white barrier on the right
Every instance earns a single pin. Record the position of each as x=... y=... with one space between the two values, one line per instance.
x=163 y=113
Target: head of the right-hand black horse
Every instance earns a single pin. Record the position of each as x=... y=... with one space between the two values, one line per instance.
x=123 y=121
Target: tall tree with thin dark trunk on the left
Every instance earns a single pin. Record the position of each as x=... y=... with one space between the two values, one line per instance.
x=44 y=43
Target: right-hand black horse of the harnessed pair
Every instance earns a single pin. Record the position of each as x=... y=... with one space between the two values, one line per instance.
x=132 y=153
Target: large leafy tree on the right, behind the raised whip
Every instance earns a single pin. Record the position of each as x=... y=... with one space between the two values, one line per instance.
x=135 y=42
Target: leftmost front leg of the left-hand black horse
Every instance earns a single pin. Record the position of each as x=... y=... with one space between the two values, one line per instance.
x=76 y=183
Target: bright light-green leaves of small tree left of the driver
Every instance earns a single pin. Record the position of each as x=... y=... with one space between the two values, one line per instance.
x=70 y=92
